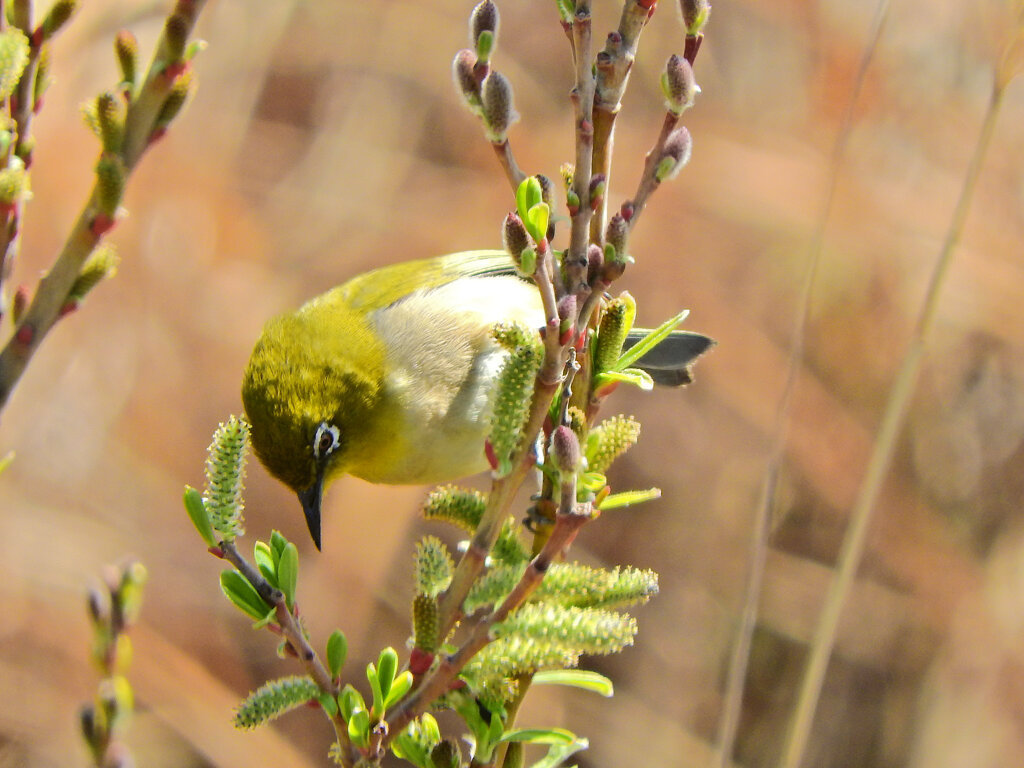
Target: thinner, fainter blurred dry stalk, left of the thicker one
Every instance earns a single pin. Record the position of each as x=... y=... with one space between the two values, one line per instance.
x=762 y=525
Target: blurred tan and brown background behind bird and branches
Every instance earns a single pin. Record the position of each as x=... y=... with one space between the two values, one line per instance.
x=326 y=139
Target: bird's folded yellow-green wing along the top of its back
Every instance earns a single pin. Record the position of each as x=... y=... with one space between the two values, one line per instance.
x=381 y=288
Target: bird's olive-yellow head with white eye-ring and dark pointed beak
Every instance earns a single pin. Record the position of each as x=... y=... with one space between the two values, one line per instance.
x=310 y=392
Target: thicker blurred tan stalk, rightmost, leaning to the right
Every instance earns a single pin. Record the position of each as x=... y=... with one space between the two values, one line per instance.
x=885 y=445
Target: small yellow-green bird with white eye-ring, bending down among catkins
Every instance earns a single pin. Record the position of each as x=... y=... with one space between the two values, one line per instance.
x=390 y=376
